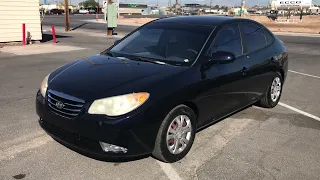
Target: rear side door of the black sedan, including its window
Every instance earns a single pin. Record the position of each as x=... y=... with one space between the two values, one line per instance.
x=259 y=53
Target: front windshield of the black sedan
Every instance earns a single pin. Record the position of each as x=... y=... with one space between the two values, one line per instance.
x=177 y=44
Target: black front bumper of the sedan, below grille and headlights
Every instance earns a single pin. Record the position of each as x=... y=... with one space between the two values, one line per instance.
x=135 y=133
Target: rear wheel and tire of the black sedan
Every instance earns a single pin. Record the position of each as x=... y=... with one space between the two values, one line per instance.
x=273 y=94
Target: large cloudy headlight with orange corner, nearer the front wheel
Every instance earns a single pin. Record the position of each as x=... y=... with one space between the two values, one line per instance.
x=118 y=105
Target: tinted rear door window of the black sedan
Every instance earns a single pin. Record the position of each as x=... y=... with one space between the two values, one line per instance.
x=253 y=36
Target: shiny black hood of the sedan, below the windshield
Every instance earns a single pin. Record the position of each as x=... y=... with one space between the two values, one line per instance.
x=92 y=77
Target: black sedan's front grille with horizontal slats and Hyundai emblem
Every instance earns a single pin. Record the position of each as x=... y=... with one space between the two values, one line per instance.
x=64 y=105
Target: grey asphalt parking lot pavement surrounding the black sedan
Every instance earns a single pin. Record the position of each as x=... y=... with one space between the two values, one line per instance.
x=257 y=143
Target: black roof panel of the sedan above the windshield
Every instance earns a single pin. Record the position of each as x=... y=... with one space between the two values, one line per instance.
x=198 y=20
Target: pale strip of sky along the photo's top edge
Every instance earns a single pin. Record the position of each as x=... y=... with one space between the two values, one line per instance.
x=165 y=2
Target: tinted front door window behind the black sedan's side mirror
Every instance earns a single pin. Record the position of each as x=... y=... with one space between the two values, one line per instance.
x=228 y=39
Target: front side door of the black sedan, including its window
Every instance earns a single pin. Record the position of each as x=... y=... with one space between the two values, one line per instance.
x=226 y=89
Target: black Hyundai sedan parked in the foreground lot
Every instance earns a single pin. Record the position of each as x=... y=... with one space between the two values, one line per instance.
x=152 y=90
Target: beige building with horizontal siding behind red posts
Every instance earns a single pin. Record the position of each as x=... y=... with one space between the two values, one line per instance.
x=13 y=13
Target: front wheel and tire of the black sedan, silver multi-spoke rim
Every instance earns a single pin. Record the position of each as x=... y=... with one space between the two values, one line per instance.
x=176 y=135
